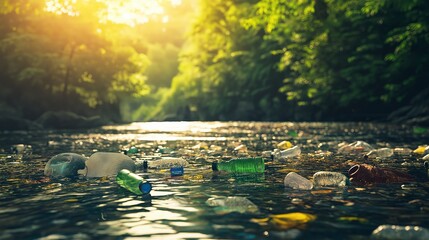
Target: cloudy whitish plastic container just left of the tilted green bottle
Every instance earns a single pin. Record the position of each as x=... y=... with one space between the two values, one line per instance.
x=101 y=164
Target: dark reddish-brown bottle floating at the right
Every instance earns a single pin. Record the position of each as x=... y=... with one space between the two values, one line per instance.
x=367 y=174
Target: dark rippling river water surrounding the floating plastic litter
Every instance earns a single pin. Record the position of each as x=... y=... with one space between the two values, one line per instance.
x=33 y=206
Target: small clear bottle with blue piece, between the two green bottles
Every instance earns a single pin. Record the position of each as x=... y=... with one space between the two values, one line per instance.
x=174 y=164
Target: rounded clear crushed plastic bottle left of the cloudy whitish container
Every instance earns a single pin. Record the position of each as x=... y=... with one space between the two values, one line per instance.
x=64 y=165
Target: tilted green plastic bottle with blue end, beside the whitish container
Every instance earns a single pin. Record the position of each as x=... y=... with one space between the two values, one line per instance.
x=133 y=182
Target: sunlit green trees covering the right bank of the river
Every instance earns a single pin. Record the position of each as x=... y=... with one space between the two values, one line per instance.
x=301 y=59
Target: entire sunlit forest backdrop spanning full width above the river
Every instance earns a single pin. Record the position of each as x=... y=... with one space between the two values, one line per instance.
x=264 y=60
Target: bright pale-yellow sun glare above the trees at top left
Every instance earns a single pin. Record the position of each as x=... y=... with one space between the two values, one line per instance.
x=130 y=12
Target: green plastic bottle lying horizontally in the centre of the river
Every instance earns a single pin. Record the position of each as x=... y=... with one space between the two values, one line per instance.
x=241 y=165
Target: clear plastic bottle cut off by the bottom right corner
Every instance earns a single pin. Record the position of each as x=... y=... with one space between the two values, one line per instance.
x=400 y=232
